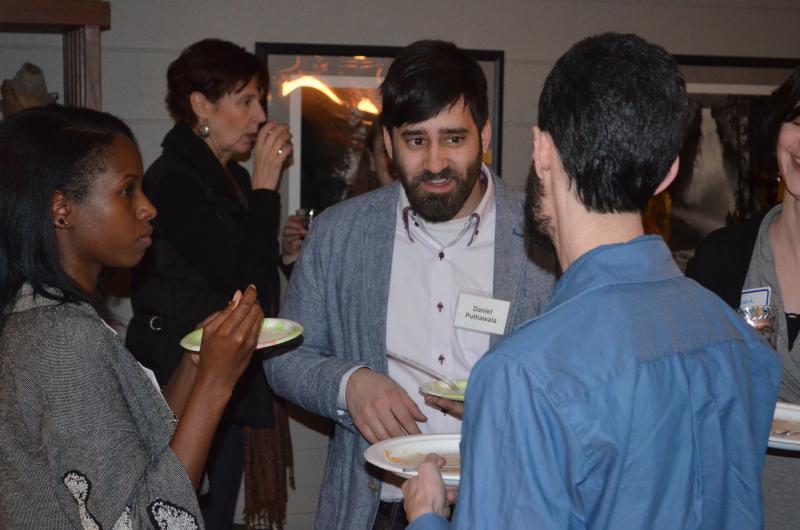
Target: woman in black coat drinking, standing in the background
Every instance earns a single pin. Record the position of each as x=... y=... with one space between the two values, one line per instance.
x=217 y=232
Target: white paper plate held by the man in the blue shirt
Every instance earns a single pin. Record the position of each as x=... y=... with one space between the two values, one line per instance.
x=402 y=455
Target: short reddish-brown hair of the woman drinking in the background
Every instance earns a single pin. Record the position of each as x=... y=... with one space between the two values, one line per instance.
x=214 y=68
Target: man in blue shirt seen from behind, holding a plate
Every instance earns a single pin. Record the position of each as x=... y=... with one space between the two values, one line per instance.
x=637 y=399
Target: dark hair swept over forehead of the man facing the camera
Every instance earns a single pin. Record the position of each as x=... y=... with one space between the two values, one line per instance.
x=428 y=76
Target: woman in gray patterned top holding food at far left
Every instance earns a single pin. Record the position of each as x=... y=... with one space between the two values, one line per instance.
x=88 y=440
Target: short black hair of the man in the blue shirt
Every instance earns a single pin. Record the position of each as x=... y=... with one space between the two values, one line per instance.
x=615 y=106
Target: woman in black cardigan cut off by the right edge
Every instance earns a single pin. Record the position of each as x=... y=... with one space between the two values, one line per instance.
x=764 y=254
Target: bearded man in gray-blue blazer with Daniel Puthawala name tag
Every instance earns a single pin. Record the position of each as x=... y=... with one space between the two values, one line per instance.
x=434 y=267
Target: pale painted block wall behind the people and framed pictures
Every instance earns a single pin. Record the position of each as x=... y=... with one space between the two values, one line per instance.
x=146 y=35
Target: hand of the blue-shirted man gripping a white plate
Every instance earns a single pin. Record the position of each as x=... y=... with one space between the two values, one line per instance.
x=426 y=493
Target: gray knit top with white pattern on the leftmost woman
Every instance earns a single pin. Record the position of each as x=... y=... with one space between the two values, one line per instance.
x=85 y=434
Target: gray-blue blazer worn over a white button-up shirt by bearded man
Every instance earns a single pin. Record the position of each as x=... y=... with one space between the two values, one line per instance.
x=338 y=292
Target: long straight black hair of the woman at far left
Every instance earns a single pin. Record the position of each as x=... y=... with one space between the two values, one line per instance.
x=44 y=150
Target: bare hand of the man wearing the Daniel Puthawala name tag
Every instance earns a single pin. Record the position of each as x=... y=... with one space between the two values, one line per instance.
x=379 y=407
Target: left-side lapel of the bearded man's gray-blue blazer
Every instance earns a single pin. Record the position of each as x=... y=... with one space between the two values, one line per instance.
x=377 y=245
